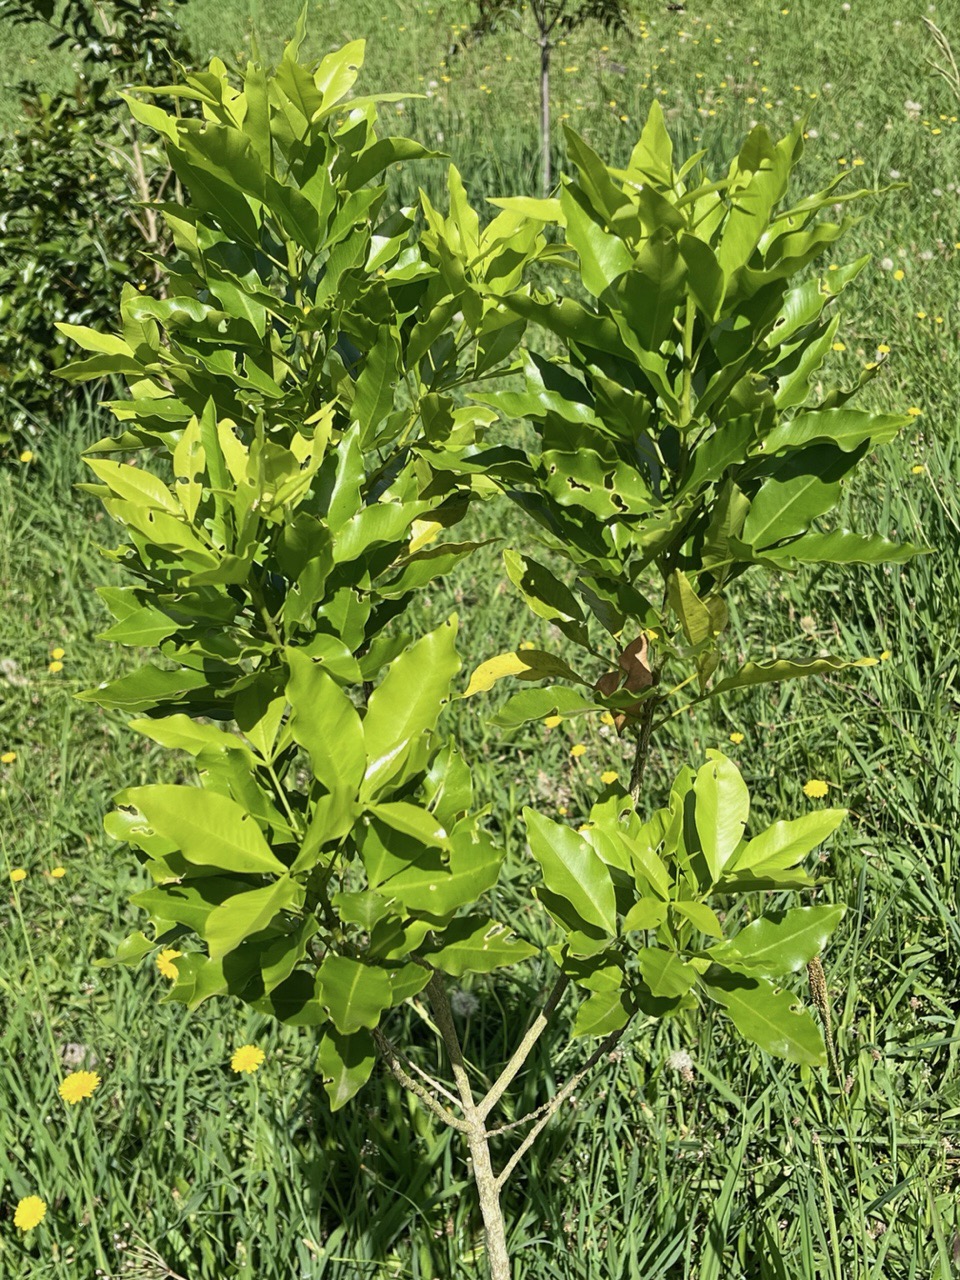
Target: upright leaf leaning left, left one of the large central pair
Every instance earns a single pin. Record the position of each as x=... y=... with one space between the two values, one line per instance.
x=326 y=724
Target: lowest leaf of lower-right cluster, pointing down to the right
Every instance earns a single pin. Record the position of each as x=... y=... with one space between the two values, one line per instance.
x=767 y=1017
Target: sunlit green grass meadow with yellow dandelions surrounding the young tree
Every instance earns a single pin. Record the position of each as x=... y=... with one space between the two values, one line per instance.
x=753 y=1169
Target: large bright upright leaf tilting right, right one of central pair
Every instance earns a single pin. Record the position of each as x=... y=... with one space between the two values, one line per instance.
x=408 y=702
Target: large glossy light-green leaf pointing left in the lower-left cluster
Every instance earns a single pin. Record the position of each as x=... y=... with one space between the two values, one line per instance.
x=208 y=829
